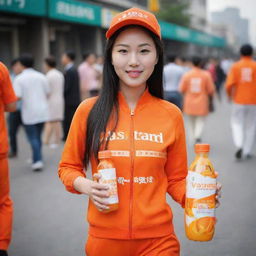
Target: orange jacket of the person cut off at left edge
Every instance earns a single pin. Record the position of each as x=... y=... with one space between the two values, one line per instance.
x=7 y=96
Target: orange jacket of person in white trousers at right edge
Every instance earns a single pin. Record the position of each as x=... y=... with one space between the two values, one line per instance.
x=241 y=81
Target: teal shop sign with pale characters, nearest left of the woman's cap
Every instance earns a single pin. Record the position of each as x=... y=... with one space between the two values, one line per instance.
x=75 y=11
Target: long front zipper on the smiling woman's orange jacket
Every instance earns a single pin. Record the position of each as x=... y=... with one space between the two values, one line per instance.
x=132 y=170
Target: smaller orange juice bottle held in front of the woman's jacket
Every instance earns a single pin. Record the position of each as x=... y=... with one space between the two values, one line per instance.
x=108 y=177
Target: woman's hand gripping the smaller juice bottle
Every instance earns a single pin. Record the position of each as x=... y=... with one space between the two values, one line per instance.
x=97 y=192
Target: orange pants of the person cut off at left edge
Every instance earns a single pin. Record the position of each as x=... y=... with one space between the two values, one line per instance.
x=6 y=207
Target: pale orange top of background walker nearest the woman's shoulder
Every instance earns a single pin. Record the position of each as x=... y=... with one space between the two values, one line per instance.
x=196 y=85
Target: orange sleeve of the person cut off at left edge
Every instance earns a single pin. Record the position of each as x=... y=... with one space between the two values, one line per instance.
x=6 y=88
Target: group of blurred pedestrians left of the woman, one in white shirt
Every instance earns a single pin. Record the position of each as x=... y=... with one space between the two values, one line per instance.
x=48 y=101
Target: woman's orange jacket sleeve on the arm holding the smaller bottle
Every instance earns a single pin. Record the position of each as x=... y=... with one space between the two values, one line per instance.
x=71 y=165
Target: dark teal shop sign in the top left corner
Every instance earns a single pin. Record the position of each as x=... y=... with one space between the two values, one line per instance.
x=32 y=7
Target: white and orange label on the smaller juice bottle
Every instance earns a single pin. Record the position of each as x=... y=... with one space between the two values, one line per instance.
x=108 y=177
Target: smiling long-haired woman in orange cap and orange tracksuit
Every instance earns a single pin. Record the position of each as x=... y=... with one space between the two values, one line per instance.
x=129 y=118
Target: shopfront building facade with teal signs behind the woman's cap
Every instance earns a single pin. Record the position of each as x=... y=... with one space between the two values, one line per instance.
x=44 y=27
